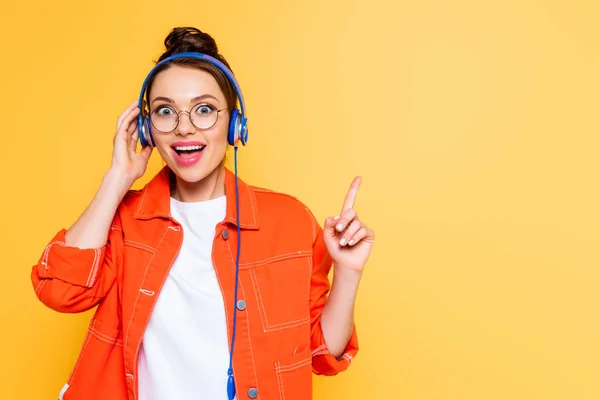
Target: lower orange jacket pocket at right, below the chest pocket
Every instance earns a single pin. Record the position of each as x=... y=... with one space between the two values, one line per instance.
x=294 y=376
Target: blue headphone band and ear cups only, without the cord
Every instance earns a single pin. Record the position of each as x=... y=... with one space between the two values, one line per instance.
x=238 y=130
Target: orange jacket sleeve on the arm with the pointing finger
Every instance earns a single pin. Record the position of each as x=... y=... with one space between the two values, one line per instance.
x=323 y=363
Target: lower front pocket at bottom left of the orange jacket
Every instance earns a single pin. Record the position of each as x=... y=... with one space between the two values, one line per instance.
x=99 y=371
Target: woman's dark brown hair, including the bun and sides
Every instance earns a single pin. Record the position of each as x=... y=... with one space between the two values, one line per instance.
x=189 y=39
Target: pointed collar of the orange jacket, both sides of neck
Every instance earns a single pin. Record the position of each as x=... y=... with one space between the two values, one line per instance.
x=155 y=200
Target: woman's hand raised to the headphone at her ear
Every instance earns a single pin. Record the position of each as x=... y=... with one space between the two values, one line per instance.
x=127 y=163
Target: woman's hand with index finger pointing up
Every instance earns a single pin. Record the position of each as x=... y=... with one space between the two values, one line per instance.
x=348 y=240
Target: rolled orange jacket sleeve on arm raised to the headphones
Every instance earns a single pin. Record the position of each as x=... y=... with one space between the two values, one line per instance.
x=71 y=280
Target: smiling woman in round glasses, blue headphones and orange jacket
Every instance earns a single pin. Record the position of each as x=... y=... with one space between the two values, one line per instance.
x=206 y=287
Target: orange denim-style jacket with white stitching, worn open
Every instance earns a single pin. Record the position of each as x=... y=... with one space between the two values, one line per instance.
x=283 y=280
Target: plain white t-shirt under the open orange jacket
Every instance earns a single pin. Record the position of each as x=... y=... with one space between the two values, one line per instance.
x=185 y=350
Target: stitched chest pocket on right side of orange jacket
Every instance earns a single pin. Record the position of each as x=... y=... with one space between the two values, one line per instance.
x=282 y=288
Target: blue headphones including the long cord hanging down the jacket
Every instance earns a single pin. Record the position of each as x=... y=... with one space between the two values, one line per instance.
x=238 y=131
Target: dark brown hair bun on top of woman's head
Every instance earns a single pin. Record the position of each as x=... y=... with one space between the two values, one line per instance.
x=189 y=39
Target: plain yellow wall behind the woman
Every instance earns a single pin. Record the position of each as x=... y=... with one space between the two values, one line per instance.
x=474 y=124
